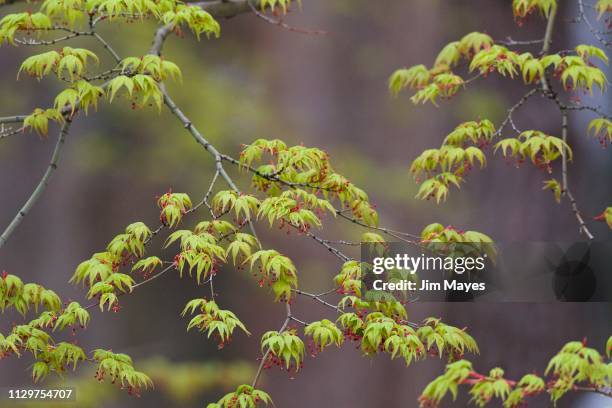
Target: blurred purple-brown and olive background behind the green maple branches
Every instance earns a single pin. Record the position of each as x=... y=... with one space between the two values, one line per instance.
x=329 y=91
